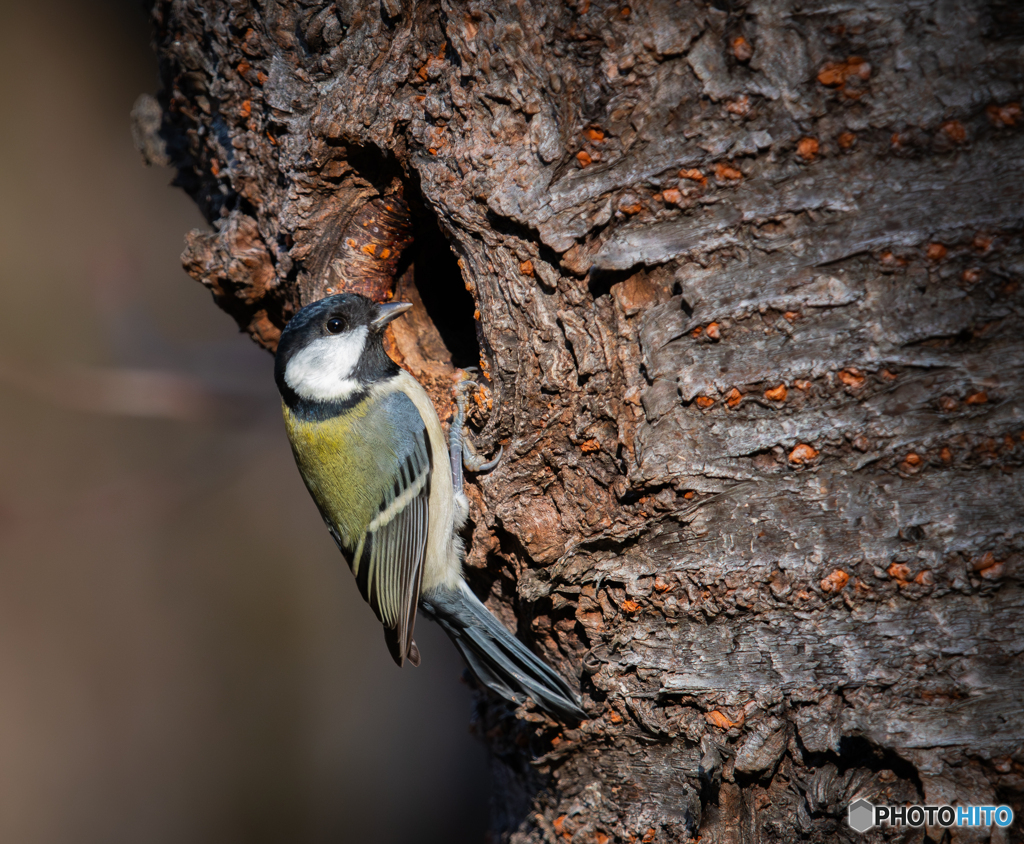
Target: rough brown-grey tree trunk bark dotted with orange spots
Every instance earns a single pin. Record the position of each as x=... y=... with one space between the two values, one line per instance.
x=747 y=282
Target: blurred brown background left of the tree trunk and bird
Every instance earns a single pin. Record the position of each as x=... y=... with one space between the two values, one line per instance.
x=184 y=657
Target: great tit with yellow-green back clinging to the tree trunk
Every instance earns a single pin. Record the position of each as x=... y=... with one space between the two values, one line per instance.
x=371 y=450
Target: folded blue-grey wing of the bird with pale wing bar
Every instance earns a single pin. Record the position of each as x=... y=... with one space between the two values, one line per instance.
x=387 y=555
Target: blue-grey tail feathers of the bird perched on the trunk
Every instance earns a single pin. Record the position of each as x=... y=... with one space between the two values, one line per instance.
x=498 y=659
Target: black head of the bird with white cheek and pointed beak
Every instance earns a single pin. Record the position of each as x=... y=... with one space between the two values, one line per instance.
x=333 y=349
